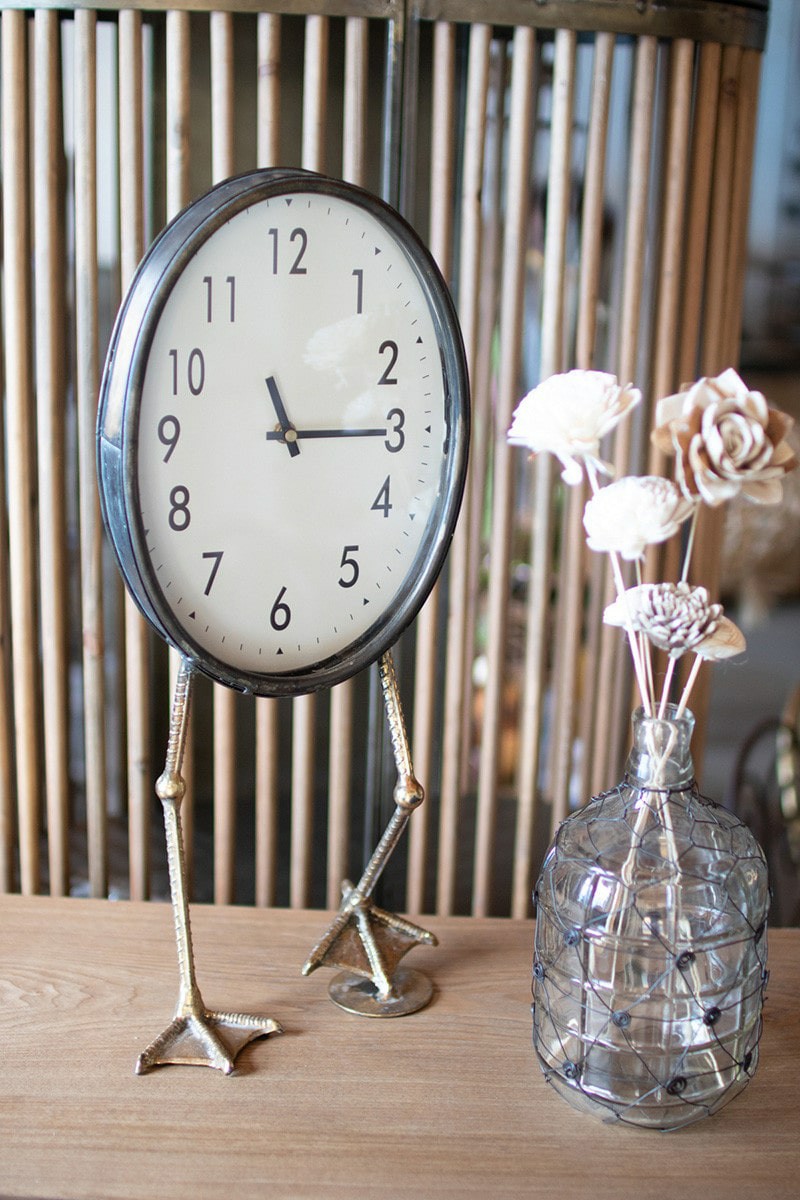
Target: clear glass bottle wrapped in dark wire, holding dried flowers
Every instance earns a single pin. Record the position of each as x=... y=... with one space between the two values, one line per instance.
x=651 y=953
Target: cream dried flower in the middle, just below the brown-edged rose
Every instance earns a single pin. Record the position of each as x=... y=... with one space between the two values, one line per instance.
x=635 y=513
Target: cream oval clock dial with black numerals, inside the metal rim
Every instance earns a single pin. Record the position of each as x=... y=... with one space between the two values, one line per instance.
x=292 y=434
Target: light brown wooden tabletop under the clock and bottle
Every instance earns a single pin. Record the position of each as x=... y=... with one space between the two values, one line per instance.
x=449 y=1102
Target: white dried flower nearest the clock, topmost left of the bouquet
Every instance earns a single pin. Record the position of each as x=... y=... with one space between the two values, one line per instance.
x=569 y=415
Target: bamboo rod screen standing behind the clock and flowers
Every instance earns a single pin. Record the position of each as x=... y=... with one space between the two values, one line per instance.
x=586 y=194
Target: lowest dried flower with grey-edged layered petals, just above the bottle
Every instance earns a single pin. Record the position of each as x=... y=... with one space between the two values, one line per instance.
x=677 y=617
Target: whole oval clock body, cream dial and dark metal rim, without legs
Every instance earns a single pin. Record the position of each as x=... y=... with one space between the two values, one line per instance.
x=284 y=431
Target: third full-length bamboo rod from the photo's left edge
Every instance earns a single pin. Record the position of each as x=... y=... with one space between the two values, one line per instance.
x=87 y=381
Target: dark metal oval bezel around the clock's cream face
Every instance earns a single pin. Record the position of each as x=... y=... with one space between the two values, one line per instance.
x=119 y=417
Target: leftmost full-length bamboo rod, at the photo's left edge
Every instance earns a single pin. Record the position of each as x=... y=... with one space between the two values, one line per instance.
x=20 y=418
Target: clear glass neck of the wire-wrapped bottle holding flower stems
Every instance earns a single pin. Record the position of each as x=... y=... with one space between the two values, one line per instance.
x=661 y=755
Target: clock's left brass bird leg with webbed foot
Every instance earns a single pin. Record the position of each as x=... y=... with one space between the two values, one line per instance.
x=195 y=1036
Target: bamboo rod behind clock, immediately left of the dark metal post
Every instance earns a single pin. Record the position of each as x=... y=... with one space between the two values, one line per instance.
x=341 y=729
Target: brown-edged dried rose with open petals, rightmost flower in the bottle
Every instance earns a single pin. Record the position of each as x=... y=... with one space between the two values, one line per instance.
x=726 y=441
